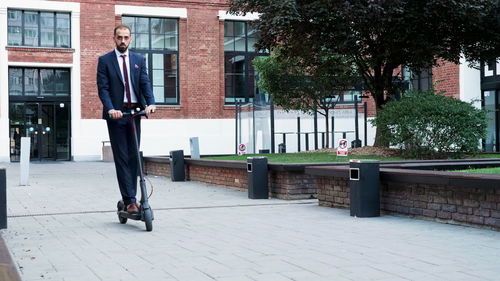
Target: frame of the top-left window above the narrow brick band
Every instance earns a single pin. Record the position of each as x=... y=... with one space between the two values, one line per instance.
x=39 y=29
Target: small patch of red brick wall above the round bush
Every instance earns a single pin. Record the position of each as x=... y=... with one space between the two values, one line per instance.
x=446 y=78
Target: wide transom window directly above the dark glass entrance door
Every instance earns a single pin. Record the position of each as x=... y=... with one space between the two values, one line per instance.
x=39 y=82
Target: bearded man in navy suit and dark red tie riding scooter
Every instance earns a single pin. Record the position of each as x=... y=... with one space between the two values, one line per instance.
x=123 y=85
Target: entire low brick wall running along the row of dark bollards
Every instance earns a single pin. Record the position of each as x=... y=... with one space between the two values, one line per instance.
x=456 y=198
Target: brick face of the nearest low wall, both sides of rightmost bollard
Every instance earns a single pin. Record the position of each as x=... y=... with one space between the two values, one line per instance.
x=451 y=204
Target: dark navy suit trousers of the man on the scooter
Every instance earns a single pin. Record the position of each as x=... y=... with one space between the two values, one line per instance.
x=124 y=150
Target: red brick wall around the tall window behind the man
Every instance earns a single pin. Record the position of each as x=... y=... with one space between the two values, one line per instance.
x=200 y=45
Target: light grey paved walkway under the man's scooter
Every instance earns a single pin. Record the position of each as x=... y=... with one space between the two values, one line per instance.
x=64 y=227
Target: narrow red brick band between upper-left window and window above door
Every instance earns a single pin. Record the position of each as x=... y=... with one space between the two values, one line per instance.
x=40 y=55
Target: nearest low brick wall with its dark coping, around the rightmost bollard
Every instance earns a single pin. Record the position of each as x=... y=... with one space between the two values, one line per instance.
x=473 y=202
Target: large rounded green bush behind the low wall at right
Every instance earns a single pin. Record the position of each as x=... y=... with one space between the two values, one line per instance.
x=429 y=125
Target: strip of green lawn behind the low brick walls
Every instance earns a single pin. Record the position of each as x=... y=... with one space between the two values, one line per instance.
x=321 y=157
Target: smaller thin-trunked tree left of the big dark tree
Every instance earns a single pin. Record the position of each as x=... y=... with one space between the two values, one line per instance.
x=315 y=88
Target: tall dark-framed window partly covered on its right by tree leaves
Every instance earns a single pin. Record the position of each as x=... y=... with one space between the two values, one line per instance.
x=239 y=74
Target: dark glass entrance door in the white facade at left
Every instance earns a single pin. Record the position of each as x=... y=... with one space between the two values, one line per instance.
x=47 y=124
